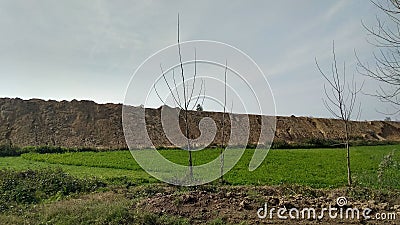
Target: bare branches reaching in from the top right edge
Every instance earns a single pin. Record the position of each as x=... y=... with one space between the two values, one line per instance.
x=386 y=38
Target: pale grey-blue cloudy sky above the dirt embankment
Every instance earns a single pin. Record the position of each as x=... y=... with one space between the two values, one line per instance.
x=89 y=50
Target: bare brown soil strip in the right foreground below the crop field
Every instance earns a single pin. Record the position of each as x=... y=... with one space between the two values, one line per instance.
x=235 y=205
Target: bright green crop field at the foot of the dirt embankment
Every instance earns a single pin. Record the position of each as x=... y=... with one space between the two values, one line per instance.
x=321 y=168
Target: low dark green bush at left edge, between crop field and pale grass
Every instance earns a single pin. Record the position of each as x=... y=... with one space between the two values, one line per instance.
x=34 y=186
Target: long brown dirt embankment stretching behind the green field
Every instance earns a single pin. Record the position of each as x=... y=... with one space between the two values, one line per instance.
x=87 y=124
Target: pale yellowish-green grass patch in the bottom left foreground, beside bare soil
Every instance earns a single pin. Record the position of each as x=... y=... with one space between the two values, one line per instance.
x=97 y=208
